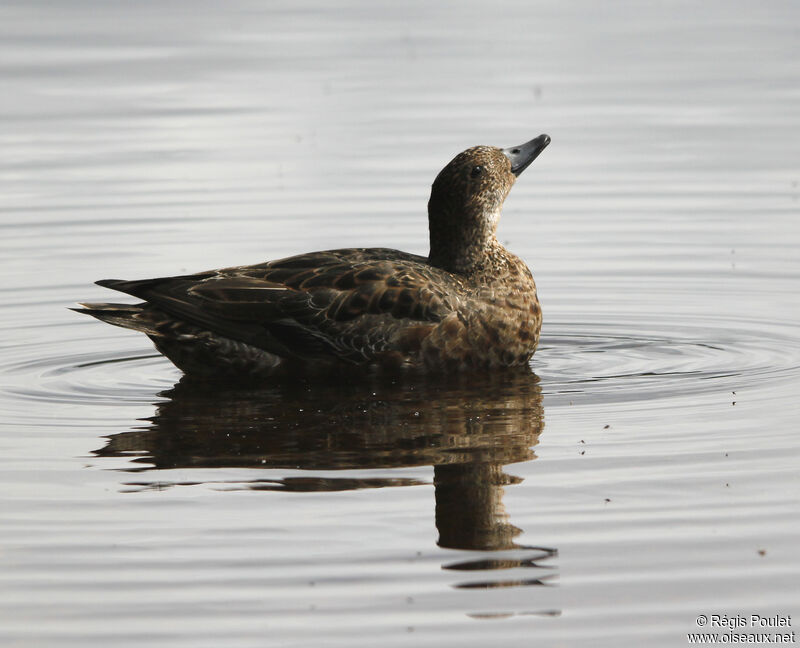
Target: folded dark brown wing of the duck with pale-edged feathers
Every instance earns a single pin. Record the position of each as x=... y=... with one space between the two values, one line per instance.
x=349 y=304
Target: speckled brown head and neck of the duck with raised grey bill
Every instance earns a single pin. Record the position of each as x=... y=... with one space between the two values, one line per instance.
x=467 y=198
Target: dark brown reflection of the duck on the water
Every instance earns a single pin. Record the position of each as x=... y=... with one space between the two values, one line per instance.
x=466 y=430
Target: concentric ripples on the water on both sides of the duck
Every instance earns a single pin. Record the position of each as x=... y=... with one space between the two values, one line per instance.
x=594 y=361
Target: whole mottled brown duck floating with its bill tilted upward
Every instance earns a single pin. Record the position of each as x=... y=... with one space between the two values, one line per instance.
x=469 y=305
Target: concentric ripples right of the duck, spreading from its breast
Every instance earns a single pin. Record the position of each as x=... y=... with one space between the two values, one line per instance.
x=639 y=360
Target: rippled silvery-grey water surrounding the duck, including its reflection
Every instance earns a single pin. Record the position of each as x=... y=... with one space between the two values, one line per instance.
x=644 y=473
